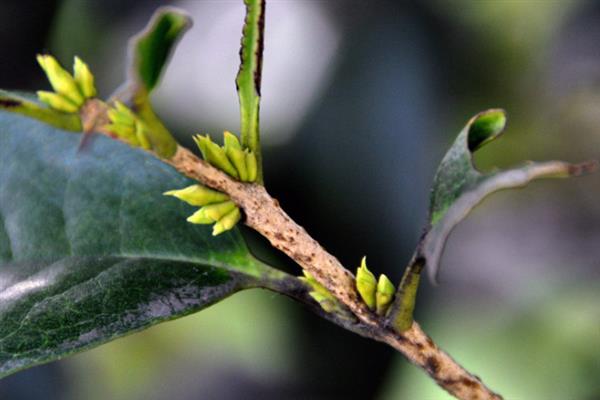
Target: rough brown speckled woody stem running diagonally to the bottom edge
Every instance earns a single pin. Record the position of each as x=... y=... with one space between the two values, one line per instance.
x=264 y=215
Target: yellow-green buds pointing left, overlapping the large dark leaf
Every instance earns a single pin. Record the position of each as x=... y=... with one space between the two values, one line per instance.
x=215 y=207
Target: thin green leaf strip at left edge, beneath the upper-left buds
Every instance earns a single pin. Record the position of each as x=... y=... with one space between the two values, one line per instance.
x=20 y=104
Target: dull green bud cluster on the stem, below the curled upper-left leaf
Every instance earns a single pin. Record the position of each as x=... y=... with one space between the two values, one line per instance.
x=127 y=126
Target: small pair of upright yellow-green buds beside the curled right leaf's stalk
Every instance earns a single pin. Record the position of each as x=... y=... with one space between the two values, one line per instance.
x=377 y=294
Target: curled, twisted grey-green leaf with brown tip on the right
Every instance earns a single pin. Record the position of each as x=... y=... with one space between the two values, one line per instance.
x=458 y=185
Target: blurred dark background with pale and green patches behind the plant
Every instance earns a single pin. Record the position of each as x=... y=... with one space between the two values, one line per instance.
x=360 y=101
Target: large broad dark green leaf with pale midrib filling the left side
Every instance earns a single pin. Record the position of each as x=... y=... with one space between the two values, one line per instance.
x=91 y=250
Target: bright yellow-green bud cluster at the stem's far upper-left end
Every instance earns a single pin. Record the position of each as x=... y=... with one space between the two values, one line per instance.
x=70 y=91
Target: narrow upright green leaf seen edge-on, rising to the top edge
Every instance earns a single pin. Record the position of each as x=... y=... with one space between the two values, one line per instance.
x=249 y=77
